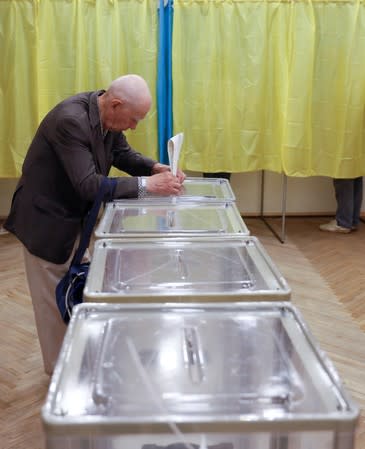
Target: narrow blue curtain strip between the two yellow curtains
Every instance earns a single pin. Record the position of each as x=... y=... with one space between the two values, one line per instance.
x=164 y=78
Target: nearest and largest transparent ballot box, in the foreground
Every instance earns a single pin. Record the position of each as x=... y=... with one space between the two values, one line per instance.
x=247 y=376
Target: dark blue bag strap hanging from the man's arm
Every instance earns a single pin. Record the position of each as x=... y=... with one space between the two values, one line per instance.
x=105 y=193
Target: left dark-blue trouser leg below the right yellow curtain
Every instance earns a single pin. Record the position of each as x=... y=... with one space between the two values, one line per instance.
x=344 y=192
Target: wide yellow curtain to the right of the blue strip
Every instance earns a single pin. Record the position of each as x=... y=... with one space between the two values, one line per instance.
x=270 y=85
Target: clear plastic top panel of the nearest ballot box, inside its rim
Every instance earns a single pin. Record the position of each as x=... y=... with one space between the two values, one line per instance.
x=200 y=363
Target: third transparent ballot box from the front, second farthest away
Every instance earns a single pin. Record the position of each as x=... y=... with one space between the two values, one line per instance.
x=169 y=219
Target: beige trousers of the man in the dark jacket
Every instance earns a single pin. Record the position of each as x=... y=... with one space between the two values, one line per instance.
x=43 y=278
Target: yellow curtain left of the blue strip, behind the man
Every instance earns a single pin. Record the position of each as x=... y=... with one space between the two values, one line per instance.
x=51 y=49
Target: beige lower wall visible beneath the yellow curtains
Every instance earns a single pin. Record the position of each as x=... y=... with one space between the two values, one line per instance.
x=305 y=196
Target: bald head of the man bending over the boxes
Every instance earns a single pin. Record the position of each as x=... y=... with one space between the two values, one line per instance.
x=125 y=103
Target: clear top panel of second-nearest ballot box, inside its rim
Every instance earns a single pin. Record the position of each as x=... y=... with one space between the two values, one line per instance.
x=200 y=267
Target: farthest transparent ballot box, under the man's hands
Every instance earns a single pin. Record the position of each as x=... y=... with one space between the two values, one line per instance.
x=203 y=189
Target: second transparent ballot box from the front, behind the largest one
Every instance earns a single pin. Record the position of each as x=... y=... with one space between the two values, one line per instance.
x=182 y=269
